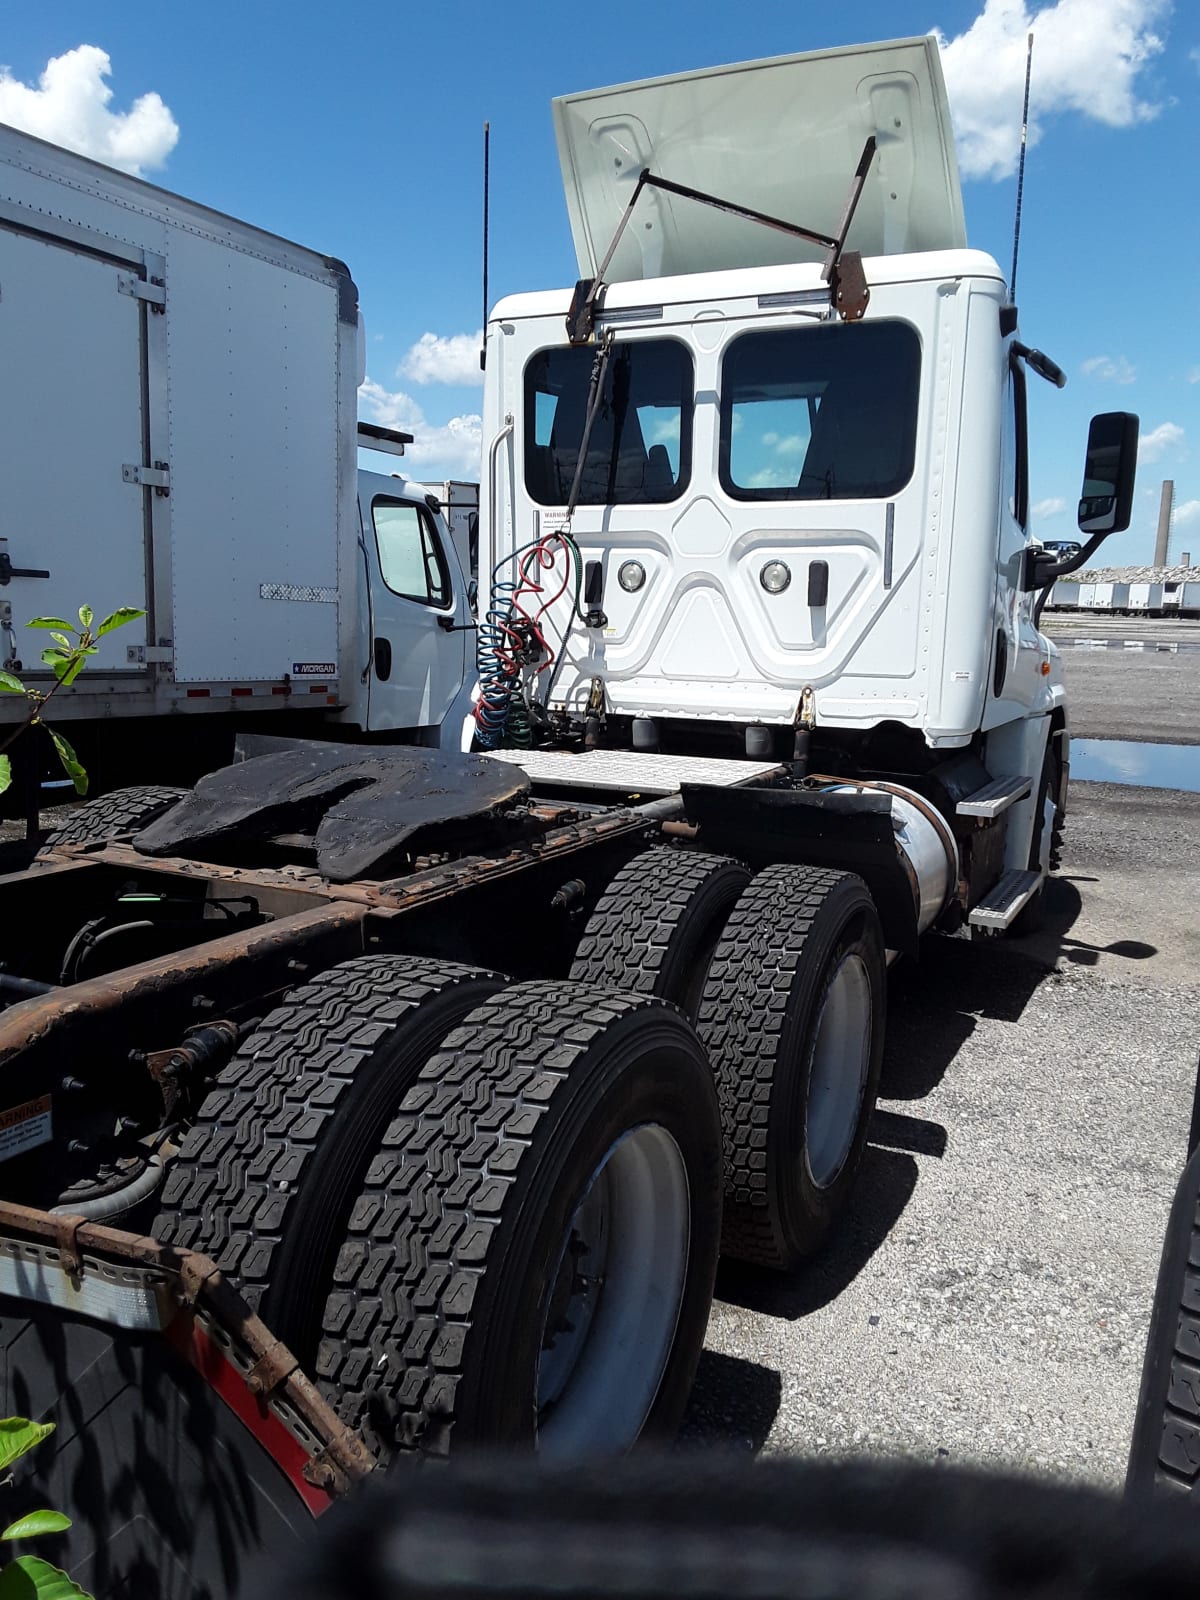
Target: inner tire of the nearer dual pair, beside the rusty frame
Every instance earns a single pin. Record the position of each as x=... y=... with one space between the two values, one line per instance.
x=268 y=1175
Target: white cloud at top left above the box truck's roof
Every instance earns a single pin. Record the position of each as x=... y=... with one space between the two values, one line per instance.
x=71 y=108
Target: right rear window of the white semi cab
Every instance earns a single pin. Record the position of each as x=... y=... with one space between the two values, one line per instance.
x=820 y=414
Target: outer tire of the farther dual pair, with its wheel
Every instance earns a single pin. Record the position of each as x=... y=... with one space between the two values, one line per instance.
x=793 y=1020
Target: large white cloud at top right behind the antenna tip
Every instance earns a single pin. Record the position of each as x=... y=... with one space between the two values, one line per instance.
x=1087 y=58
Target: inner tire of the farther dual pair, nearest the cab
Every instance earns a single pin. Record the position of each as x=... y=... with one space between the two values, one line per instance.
x=657 y=926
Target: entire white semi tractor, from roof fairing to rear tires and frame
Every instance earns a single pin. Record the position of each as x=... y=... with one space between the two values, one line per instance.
x=465 y=1068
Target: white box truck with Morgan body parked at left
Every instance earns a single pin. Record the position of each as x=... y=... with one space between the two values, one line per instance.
x=209 y=478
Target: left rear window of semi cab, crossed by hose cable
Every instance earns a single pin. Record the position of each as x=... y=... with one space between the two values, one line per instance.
x=641 y=446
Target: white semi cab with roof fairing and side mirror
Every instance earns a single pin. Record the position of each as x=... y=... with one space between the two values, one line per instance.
x=759 y=484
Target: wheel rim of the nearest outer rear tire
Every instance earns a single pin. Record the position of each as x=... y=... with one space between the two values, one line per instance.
x=615 y=1300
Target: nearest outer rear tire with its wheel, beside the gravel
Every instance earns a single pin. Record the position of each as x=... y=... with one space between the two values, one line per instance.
x=530 y=1263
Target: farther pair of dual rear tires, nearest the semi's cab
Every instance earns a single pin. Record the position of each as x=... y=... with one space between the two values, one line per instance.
x=785 y=975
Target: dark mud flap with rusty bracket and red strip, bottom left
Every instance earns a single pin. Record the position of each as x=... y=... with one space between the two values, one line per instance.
x=186 y=1439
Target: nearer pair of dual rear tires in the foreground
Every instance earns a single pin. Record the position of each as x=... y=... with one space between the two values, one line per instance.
x=486 y=1215
